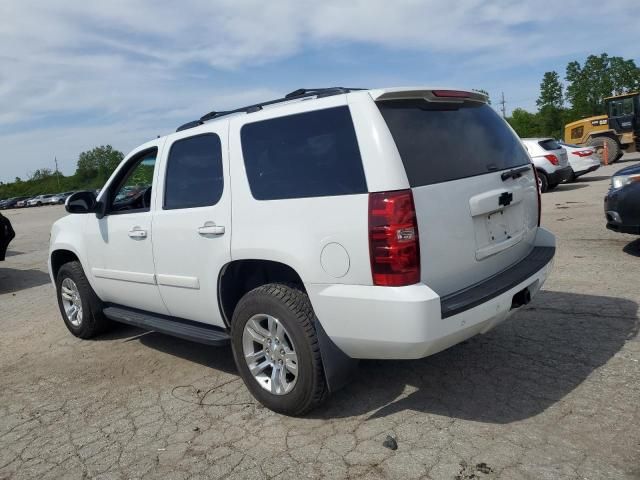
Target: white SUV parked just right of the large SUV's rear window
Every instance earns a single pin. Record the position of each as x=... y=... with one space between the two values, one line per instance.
x=550 y=160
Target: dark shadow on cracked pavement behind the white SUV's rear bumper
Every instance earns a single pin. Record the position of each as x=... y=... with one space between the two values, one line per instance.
x=516 y=371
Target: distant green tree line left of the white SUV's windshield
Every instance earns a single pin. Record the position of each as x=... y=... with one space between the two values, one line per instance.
x=92 y=170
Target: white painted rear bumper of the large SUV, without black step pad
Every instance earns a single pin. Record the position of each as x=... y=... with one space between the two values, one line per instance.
x=414 y=322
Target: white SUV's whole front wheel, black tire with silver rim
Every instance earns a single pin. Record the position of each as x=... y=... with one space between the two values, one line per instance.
x=80 y=307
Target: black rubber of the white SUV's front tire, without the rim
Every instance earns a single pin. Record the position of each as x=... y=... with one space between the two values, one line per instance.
x=93 y=321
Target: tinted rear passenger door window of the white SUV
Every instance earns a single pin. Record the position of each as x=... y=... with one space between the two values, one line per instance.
x=194 y=173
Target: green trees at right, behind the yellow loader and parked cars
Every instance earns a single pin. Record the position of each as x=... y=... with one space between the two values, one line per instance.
x=583 y=94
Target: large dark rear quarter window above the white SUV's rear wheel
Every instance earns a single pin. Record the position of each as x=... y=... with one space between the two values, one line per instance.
x=312 y=154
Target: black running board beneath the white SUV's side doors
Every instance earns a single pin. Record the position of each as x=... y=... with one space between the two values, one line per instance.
x=176 y=327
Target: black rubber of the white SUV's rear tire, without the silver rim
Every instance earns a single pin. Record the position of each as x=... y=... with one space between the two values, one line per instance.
x=291 y=306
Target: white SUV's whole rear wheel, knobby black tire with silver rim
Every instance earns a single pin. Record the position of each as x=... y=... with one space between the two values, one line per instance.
x=276 y=349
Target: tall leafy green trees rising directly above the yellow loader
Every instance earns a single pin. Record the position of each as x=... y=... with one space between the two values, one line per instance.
x=600 y=77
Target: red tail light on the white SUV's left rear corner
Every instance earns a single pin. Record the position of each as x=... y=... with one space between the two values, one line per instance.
x=394 y=246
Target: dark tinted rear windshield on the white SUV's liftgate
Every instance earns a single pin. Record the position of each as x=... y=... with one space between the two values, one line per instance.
x=439 y=142
